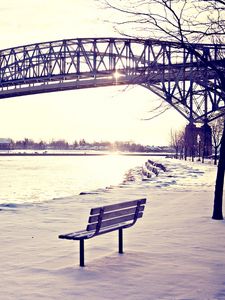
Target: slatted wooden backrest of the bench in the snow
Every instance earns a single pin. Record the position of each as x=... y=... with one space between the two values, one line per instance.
x=115 y=214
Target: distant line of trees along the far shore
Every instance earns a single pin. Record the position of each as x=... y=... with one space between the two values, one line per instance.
x=84 y=145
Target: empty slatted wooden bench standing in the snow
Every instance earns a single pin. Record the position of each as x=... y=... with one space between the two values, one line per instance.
x=106 y=219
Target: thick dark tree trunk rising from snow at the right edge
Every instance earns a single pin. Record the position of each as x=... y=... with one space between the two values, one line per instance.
x=218 y=196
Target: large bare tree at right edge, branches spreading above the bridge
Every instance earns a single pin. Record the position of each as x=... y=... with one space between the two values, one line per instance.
x=184 y=22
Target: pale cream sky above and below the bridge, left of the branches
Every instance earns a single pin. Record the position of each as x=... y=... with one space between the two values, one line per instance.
x=98 y=114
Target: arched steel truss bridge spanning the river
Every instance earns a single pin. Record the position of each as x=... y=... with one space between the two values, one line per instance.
x=175 y=73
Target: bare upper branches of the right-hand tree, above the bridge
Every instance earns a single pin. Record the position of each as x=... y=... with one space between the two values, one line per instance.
x=179 y=20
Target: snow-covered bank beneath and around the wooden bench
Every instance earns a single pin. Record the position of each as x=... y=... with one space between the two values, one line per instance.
x=176 y=251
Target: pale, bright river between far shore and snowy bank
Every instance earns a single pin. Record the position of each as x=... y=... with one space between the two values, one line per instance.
x=30 y=179
